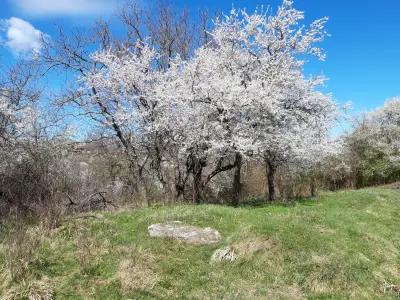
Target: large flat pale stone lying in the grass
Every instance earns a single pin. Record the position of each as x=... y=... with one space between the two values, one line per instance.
x=189 y=234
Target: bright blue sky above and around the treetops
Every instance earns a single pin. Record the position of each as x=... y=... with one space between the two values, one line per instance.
x=363 y=52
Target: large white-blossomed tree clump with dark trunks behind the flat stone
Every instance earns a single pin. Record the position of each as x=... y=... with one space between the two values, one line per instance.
x=243 y=94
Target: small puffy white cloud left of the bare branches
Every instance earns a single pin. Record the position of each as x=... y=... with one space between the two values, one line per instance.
x=21 y=36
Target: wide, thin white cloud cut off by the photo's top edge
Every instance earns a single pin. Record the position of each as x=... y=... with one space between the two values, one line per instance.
x=65 y=7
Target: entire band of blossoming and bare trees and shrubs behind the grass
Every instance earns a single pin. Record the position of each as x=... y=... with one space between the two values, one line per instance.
x=179 y=104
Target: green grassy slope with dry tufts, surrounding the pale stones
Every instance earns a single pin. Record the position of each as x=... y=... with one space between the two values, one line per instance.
x=342 y=245
